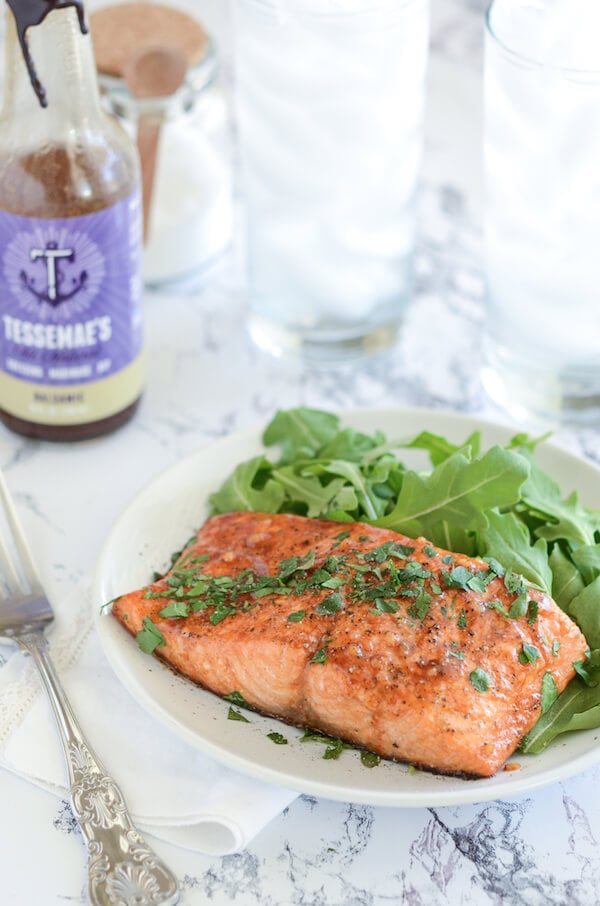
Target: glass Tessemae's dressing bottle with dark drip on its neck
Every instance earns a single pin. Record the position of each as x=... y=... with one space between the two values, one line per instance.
x=70 y=236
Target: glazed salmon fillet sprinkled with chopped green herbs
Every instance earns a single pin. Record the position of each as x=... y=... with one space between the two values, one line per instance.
x=385 y=642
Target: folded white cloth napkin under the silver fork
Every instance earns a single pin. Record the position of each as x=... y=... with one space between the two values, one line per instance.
x=173 y=791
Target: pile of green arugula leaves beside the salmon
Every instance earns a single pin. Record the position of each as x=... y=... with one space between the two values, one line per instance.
x=497 y=503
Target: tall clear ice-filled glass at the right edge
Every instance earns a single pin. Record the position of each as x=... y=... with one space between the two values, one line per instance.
x=542 y=213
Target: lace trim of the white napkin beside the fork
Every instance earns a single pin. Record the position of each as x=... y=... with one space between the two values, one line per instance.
x=20 y=682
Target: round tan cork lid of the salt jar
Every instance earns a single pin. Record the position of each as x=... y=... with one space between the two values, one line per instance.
x=121 y=30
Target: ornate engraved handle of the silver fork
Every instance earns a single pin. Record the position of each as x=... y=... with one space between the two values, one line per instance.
x=122 y=868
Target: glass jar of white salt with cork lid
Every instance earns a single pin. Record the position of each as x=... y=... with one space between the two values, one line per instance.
x=190 y=217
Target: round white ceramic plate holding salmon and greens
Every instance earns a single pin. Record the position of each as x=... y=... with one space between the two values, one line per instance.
x=162 y=518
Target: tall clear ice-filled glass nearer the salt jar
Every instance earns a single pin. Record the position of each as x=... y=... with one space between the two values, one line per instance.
x=330 y=104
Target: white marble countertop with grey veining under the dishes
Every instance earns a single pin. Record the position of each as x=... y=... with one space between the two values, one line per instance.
x=206 y=379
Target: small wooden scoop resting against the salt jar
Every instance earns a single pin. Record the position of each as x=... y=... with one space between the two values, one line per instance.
x=152 y=73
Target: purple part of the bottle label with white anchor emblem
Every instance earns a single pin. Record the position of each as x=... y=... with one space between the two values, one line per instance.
x=70 y=295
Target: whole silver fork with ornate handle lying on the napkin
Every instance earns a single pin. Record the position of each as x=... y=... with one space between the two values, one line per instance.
x=122 y=868
